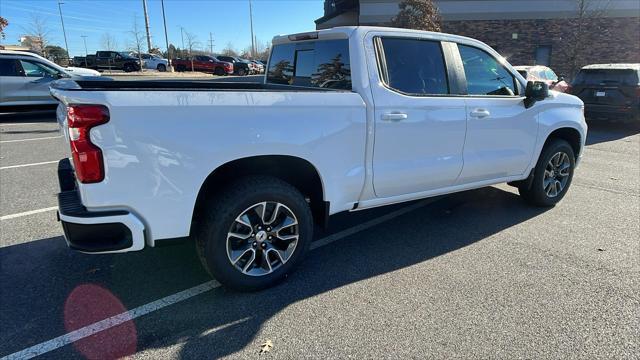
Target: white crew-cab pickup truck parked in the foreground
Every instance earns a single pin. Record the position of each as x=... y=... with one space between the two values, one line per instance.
x=347 y=119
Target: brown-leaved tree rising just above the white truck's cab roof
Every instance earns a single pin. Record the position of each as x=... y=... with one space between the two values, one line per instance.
x=418 y=15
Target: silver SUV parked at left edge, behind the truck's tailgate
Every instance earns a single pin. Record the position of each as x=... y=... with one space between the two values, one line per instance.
x=25 y=78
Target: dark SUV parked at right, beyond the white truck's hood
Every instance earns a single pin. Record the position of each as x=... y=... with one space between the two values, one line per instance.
x=609 y=91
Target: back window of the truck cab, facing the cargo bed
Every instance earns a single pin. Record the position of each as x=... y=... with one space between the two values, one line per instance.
x=323 y=64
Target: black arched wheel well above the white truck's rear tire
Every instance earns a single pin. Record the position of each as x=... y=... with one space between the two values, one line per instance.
x=296 y=171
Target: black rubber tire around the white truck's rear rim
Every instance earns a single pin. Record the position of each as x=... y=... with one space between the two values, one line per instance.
x=217 y=218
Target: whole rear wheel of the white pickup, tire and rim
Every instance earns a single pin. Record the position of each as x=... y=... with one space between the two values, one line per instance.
x=252 y=234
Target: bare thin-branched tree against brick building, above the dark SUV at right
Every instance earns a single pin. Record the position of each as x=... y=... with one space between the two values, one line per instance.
x=585 y=26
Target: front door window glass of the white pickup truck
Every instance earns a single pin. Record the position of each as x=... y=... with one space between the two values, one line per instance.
x=485 y=75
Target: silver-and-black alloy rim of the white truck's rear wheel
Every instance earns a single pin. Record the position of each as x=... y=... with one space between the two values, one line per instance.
x=262 y=238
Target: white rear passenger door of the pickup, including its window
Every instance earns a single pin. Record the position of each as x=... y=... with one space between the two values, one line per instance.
x=419 y=126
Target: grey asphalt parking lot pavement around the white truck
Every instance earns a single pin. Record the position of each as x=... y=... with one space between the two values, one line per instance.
x=478 y=274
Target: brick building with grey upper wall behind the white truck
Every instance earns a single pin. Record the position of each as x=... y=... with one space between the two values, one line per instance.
x=526 y=32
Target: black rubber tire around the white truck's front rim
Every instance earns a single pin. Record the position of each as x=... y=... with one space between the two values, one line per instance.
x=536 y=194
